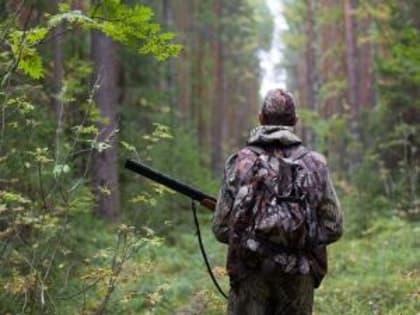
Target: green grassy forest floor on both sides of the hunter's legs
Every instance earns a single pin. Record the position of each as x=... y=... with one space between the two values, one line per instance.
x=378 y=273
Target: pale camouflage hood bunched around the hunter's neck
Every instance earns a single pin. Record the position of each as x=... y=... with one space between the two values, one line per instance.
x=273 y=134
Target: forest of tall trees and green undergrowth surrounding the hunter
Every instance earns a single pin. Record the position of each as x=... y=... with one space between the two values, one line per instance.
x=85 y=85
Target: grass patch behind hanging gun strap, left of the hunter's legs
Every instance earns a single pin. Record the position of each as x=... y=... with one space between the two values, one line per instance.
x=180 y=278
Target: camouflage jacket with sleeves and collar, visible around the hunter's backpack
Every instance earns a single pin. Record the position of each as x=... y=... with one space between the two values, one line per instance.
x=324 y=201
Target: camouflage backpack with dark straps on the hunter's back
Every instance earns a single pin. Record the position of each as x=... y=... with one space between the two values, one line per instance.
x=271 y=212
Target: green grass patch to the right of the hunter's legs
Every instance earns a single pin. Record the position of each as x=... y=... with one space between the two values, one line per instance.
x=376 y=274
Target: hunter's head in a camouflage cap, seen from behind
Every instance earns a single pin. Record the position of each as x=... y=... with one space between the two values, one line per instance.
x=278 y=108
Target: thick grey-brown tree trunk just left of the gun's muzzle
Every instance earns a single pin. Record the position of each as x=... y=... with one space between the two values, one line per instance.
x=105 y=171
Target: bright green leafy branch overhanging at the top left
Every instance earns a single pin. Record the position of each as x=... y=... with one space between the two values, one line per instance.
x=129 y=25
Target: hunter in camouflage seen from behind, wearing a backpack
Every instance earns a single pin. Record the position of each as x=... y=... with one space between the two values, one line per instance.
x=272 y=272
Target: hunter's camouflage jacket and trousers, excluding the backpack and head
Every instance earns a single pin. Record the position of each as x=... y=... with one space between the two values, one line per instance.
x=266 y=278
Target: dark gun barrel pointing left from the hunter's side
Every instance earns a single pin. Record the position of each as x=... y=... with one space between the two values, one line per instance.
x=146 y=171
